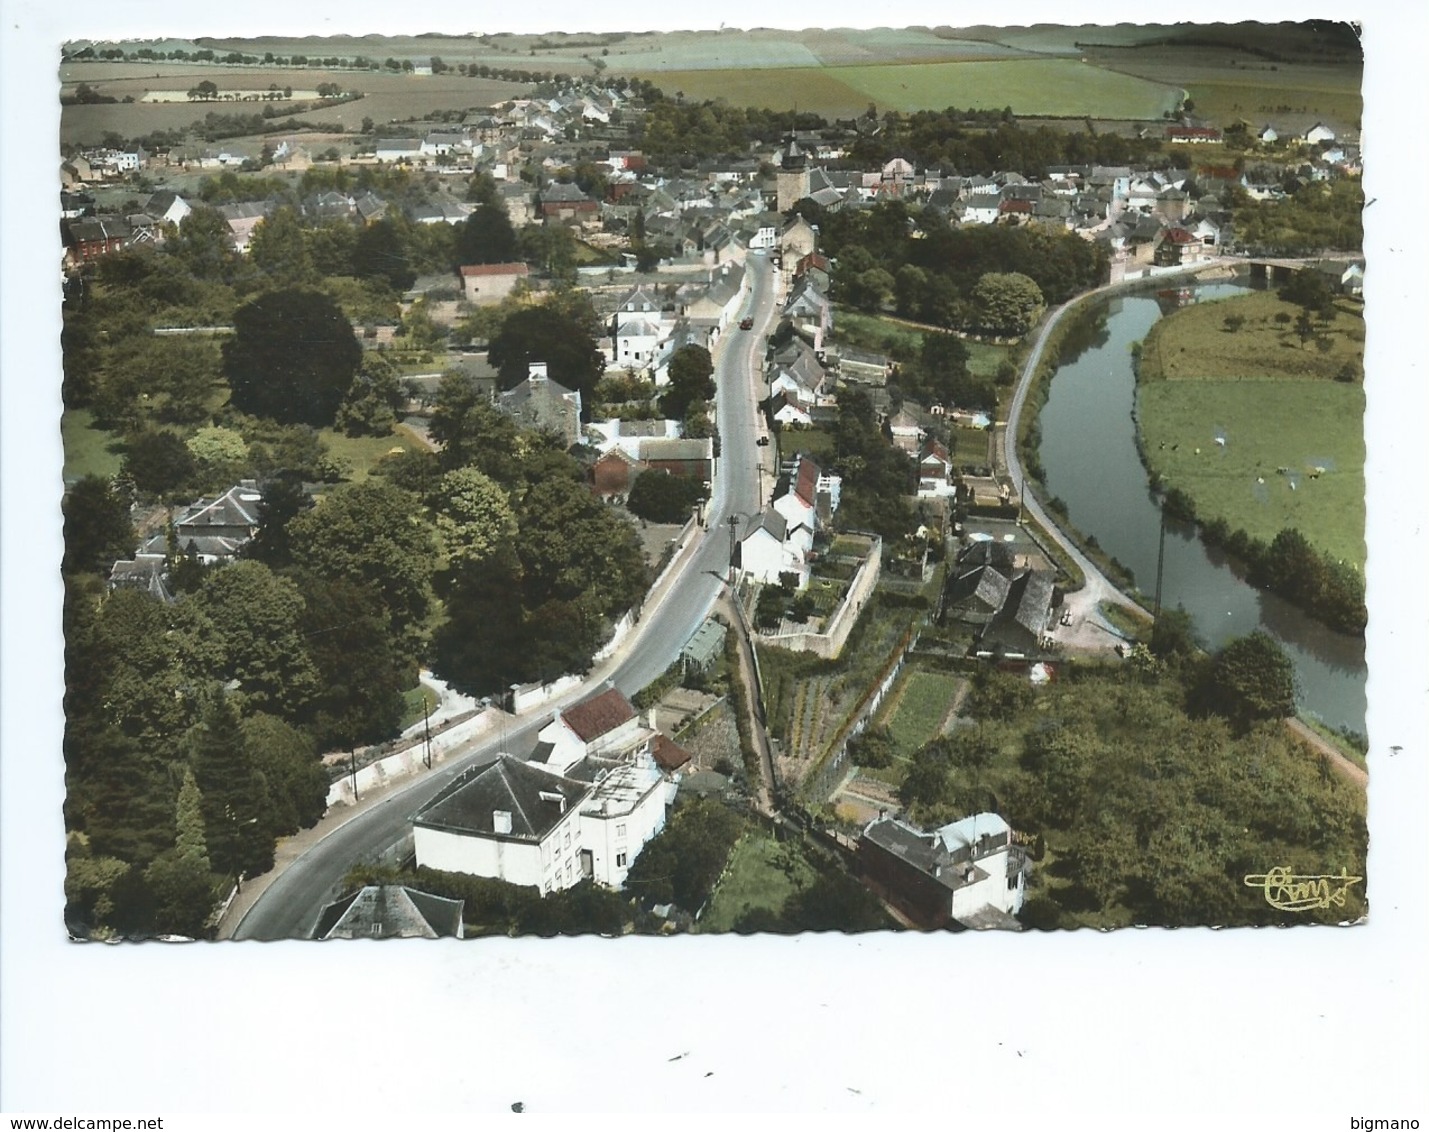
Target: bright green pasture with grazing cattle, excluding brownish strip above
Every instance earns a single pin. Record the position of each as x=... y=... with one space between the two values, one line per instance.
x=1267 y=425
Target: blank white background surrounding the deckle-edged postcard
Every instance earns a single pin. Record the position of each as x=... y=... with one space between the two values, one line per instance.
x=1300 y=1028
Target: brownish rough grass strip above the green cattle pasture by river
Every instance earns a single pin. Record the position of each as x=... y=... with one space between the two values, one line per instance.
x=1194 y=344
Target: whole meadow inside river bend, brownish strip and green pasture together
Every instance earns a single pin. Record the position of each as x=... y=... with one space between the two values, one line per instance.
x=1294 y=454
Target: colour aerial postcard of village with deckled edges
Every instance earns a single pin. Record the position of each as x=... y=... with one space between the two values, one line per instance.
x=714 y=482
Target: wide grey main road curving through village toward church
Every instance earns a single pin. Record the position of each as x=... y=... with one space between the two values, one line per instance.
x=291 y=897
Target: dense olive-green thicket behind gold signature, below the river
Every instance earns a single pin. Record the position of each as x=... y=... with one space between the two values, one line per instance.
x=1157 y=814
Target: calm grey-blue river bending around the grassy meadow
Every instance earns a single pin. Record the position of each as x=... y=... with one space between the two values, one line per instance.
x=1091 y=462
